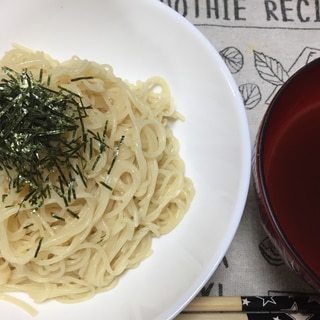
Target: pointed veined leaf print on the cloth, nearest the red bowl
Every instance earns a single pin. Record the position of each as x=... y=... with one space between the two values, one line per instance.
x=270 y=69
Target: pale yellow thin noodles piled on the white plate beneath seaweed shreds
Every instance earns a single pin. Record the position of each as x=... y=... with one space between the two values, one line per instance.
x=150 y=193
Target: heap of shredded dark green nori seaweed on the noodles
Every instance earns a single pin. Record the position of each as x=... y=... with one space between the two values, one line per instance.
x=43 y=138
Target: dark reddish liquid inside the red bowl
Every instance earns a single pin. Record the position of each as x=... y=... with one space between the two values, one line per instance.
x=292 y=175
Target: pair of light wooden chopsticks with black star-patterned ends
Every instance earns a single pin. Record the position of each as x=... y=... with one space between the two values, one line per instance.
x=250 y=307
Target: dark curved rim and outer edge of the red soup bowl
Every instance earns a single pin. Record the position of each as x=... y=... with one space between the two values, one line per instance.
x=260 y=169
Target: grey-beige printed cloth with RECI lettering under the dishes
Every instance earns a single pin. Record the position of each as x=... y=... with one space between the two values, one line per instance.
x=285 y=36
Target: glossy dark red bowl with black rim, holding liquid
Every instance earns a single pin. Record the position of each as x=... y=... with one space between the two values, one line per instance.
x=286 y=172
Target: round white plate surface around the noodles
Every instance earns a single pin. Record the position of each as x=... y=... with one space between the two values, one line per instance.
x=142 y=38
